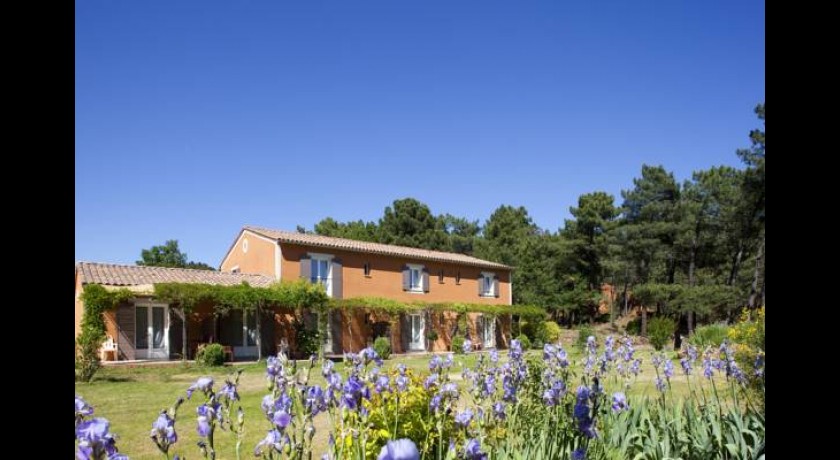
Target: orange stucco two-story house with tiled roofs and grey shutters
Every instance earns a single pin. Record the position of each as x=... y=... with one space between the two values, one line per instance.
x=348 y=269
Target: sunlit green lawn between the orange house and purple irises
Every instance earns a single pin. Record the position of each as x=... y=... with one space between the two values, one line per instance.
x=131 y=398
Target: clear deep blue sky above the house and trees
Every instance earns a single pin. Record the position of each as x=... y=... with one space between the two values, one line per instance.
x=194 y=118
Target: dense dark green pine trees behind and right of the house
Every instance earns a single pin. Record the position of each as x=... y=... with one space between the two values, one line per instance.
x=692 y=250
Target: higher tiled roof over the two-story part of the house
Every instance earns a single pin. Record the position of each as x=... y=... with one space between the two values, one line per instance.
x=372 y=248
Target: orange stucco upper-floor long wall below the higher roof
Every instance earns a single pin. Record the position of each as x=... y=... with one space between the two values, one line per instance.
x=385 y=279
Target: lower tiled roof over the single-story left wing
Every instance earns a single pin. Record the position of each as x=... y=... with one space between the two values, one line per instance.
x=135 y=275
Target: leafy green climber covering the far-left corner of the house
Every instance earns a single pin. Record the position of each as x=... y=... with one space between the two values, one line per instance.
x=96 y=300
